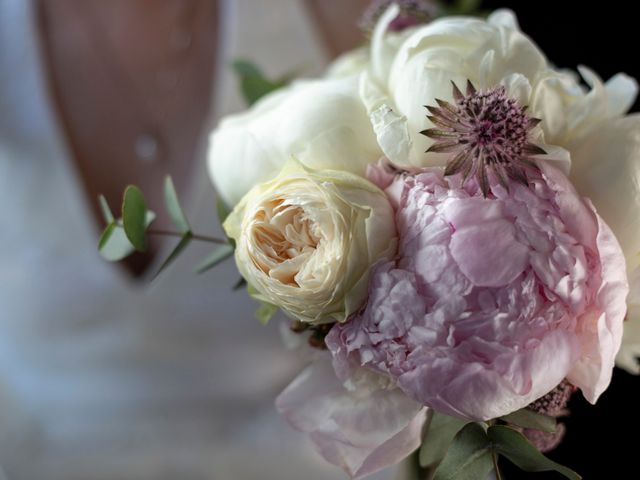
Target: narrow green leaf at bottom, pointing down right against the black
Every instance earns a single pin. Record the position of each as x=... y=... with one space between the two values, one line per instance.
x=513 y=445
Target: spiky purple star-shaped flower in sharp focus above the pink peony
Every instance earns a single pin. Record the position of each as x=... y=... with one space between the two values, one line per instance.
x=488 y=132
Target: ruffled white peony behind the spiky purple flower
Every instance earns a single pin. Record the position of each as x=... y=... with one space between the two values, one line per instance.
x=401 y=81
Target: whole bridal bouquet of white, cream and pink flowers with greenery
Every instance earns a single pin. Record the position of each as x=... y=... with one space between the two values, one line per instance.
x=452 y=223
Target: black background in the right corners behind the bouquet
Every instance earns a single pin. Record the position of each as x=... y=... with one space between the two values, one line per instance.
x=601 y=440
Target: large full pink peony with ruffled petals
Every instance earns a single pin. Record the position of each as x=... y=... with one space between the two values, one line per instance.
x=492 y=302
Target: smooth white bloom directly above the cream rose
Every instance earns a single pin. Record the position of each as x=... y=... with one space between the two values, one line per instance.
x=322 y=123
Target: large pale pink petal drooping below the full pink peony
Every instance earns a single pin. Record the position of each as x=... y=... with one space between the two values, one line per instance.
x=361 y=429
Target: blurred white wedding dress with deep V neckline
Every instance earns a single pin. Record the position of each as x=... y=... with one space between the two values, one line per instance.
x=101 y=378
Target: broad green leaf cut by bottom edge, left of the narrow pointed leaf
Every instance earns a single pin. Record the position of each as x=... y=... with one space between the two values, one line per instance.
x=469 y=457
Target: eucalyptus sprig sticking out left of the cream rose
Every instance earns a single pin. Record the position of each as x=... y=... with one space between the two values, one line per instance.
x=127 y=234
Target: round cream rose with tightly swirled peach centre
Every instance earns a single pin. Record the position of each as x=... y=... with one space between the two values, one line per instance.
x=306 y=240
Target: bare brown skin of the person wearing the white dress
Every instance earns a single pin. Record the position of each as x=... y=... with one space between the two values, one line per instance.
x=124 y=71
